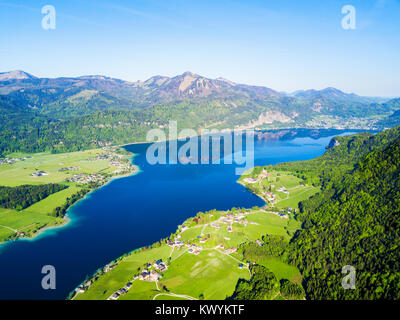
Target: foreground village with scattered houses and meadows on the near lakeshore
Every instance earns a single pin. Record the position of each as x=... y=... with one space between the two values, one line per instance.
x=205 y=245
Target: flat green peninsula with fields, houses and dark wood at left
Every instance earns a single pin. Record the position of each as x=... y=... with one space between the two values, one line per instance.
x=36 y=190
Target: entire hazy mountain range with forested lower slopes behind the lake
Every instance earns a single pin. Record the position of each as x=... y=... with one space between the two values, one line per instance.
x=104 y=110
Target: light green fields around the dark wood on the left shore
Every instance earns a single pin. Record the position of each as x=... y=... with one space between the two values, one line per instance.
x=35 y=217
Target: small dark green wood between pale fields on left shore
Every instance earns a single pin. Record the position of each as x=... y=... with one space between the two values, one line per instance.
x=21 y=197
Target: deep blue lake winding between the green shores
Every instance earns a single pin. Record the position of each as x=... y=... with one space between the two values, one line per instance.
x=135 y=211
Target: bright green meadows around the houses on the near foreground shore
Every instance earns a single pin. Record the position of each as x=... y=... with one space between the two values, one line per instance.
x=211 y=274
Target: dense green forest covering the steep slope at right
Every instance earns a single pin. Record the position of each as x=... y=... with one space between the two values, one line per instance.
x=354 y=220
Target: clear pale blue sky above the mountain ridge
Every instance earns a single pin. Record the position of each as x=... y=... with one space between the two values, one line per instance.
x=285 y=45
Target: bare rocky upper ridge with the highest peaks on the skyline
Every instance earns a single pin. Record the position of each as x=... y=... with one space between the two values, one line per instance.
x=156 y=89
